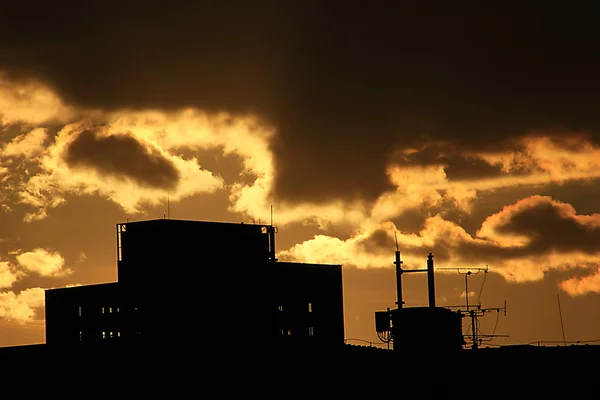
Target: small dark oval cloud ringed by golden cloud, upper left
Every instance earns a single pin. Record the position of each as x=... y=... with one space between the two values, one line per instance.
x=124 y=157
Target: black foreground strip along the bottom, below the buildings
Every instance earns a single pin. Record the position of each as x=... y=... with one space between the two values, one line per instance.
x=183 y=371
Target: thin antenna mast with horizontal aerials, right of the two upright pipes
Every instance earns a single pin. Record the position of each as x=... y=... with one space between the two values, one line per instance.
x=476 y=337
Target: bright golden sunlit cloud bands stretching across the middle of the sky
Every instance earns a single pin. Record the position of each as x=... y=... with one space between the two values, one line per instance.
x=541 y=160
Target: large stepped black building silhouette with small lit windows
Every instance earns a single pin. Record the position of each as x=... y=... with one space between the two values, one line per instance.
x=201 y=283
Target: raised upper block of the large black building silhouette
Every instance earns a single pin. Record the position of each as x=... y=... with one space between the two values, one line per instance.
x=146 y=249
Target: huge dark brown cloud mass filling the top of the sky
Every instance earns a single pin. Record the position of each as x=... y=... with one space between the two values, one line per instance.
x=345 y=82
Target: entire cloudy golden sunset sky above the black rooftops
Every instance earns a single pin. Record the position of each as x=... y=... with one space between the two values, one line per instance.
x=472 y=132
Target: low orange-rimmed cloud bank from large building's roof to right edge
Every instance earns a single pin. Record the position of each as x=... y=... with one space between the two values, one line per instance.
x=521 y=242
